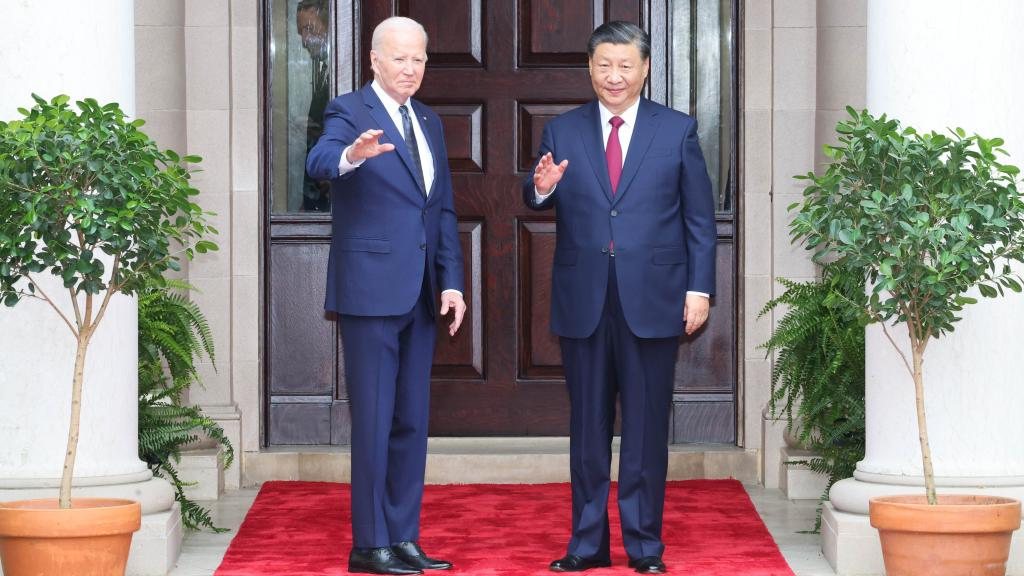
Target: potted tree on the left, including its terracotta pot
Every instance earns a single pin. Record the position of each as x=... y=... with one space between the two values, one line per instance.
x=87 y=197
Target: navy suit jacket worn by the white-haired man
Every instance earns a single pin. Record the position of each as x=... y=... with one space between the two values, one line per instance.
x=386 y=230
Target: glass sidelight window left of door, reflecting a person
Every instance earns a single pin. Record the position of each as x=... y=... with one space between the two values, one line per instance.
x=301 y=88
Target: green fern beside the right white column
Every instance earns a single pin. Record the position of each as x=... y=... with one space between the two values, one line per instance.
x=819 y=378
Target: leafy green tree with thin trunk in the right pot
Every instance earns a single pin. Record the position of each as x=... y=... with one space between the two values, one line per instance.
x=927 y=217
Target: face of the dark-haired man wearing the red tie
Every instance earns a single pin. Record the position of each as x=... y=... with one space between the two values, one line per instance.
x=618 y=73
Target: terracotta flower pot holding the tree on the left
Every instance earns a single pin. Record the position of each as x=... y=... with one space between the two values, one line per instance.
x=92 y=539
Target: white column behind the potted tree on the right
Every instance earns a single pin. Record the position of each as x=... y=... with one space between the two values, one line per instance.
x=933 y=66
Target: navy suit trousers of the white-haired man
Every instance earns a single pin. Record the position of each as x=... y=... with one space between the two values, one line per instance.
x=388 y=371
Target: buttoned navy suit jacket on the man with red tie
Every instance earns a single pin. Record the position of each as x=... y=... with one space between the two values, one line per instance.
x=662 y=220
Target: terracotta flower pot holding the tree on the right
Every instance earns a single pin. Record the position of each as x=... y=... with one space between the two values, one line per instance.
x=963 y=536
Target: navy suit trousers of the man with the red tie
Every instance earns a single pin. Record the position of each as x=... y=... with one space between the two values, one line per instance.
x=641 y=372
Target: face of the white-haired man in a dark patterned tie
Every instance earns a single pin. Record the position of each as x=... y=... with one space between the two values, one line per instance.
x=400 y=63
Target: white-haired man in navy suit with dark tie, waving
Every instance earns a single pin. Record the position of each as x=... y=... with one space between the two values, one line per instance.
x=395 y=245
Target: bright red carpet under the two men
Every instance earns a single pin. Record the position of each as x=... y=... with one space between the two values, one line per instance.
x=303 y=529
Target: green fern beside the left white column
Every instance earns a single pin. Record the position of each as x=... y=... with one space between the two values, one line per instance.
x=174 y=335
